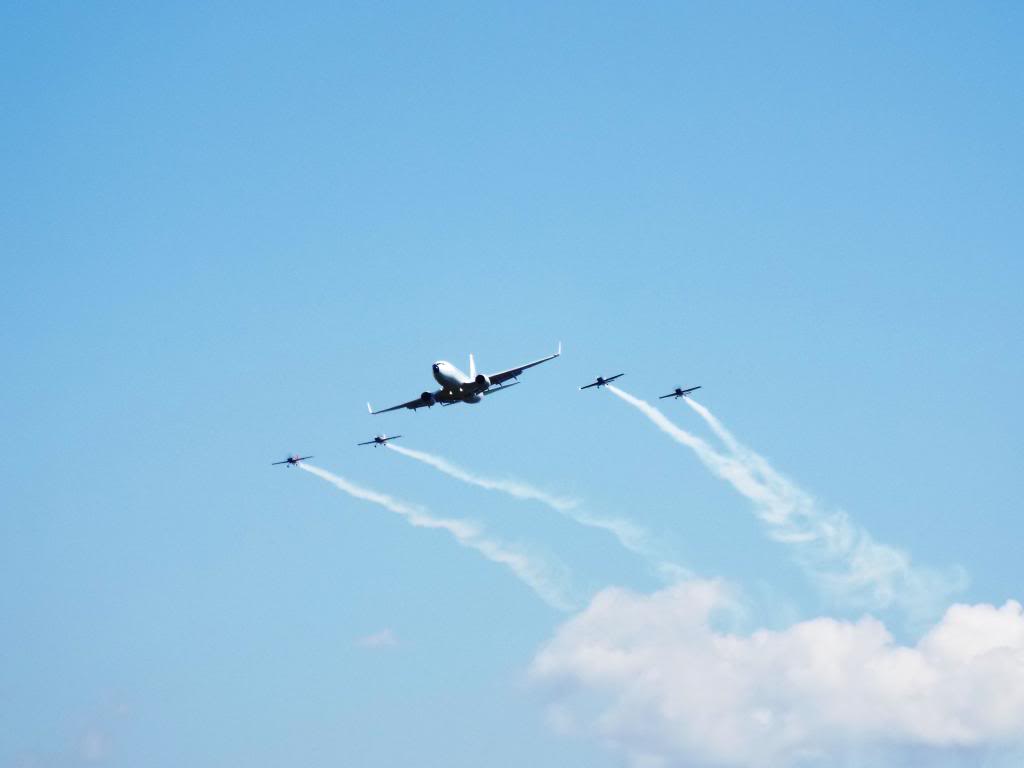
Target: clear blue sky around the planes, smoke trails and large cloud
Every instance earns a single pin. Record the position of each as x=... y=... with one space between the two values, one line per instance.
x=227 y=227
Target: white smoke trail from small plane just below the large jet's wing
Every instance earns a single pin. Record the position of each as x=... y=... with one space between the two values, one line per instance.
x=630 y=536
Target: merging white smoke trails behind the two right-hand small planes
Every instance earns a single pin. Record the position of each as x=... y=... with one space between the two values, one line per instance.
x=845 y=559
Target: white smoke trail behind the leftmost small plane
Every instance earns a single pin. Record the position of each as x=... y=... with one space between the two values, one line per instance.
x=535 y=575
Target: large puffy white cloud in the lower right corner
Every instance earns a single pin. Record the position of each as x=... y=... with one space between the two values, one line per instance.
x=657 y=679
